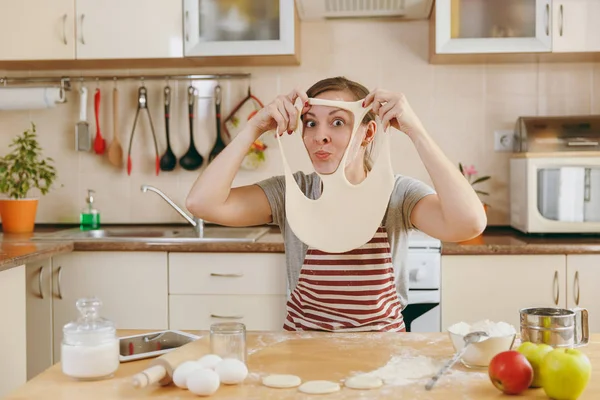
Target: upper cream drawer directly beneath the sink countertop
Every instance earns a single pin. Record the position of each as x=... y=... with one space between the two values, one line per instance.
x=227 y=273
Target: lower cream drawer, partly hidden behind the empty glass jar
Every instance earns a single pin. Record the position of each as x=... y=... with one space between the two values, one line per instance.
x=199 y=312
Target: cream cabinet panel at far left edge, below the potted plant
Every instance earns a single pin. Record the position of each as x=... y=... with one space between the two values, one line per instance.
x=13 y=363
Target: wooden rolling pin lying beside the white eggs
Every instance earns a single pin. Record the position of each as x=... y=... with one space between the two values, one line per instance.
x=161 y=368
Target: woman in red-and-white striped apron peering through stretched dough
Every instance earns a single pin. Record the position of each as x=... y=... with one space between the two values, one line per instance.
x=364 y=289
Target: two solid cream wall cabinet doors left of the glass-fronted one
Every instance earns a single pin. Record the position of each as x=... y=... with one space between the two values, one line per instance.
x=87 y=29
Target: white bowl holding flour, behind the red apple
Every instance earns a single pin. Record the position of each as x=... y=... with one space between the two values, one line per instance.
x=479 y=355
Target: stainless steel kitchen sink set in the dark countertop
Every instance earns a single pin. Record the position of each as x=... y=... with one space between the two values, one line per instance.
x=153 y=234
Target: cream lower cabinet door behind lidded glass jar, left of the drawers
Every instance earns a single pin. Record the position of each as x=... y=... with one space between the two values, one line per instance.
x=131 y=285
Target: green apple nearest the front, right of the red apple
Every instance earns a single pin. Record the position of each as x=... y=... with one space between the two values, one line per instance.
x=565 y=373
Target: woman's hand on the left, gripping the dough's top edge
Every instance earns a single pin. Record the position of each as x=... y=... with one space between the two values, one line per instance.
x=280 y=114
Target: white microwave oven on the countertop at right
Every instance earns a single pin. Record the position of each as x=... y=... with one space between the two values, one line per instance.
x=555 y=194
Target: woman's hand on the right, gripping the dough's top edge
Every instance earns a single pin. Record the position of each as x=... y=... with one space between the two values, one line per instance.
x=393 y=109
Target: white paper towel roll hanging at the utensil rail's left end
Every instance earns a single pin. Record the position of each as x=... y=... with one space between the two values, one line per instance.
x=29 y=98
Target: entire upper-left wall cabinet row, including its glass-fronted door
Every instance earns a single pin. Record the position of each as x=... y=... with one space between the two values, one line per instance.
x=147 y=33
